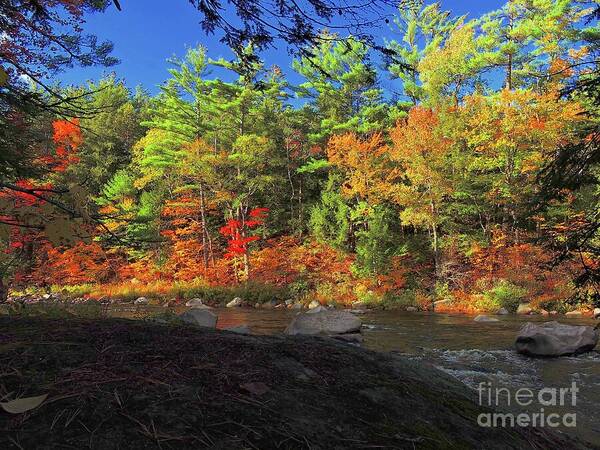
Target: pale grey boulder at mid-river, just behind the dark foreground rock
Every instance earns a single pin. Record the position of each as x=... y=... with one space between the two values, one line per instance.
x=324 y=322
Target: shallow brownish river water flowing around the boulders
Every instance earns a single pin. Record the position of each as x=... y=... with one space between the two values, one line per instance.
x=473 y=352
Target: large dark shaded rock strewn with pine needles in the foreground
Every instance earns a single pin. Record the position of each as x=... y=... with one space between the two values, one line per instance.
x=134 y=384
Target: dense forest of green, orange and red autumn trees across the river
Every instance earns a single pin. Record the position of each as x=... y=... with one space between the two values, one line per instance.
x=477 y=183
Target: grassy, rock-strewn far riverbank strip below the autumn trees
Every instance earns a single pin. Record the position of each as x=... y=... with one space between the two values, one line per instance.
x=268 y=297
